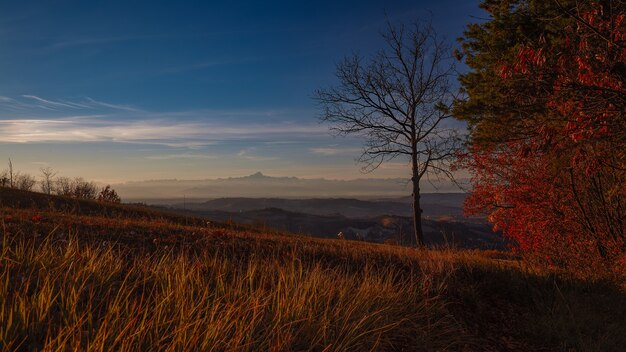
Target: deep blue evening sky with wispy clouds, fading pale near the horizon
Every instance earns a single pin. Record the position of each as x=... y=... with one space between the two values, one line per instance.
x=116 y=91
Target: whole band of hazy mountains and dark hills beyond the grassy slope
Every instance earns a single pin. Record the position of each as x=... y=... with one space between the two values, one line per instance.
x=371 y=209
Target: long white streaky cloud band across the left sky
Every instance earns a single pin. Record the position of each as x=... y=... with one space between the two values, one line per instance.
x=33 y=119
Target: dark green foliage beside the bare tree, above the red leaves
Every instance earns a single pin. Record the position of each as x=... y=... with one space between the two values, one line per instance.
x=491 y=101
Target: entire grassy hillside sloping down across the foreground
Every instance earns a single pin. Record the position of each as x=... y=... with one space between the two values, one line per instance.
x=84 y=276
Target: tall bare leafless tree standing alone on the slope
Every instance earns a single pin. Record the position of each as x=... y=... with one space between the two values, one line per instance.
x=397 y=101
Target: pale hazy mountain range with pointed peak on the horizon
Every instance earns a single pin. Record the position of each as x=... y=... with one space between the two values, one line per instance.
x=259 y=185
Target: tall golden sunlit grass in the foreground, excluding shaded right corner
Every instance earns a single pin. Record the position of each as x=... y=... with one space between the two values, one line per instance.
x=61 y=295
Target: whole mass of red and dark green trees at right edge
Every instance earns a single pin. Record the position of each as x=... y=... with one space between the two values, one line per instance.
x=547 y=114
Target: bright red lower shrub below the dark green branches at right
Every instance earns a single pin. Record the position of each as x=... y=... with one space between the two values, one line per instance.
x=554 y=214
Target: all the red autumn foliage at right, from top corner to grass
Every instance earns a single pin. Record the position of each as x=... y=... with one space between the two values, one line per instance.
x=559 y=191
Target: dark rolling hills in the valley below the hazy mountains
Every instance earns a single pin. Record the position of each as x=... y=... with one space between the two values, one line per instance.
x=375 y=220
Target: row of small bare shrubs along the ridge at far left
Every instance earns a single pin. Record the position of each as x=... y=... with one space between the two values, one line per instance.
x=50 y=183
